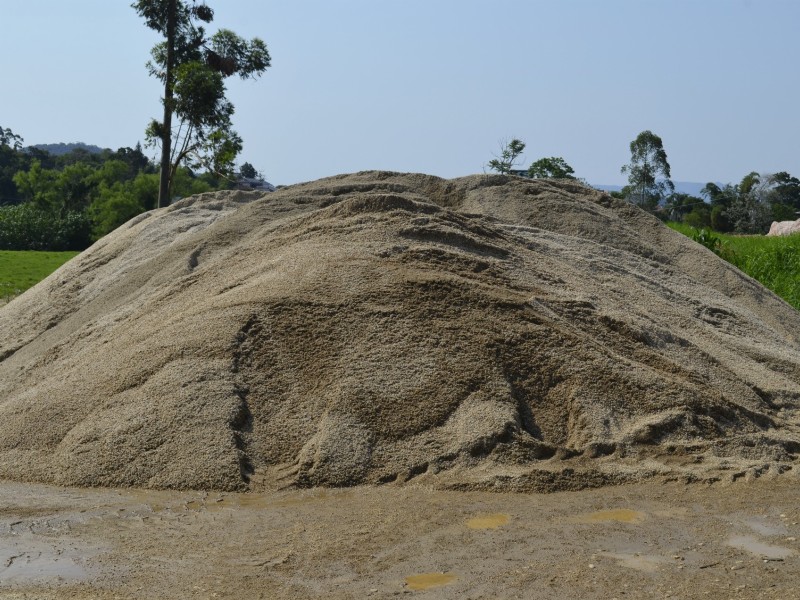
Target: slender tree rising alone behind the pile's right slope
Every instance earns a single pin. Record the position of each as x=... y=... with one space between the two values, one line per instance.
x=648 y=172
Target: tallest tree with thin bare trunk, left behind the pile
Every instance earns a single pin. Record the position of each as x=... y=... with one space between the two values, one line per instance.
x=193 y=66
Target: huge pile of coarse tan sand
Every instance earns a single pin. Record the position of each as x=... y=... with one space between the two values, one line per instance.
x=378 y=327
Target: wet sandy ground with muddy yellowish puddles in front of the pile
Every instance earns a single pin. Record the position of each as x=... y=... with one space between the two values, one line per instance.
x=648 y=540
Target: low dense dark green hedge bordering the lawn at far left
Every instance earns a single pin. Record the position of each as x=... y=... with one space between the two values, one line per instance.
x=28 y=227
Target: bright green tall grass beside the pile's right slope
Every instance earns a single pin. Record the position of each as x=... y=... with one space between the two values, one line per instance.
x=774 y=261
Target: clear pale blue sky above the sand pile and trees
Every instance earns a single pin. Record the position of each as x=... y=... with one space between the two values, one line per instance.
x=433 y=85
